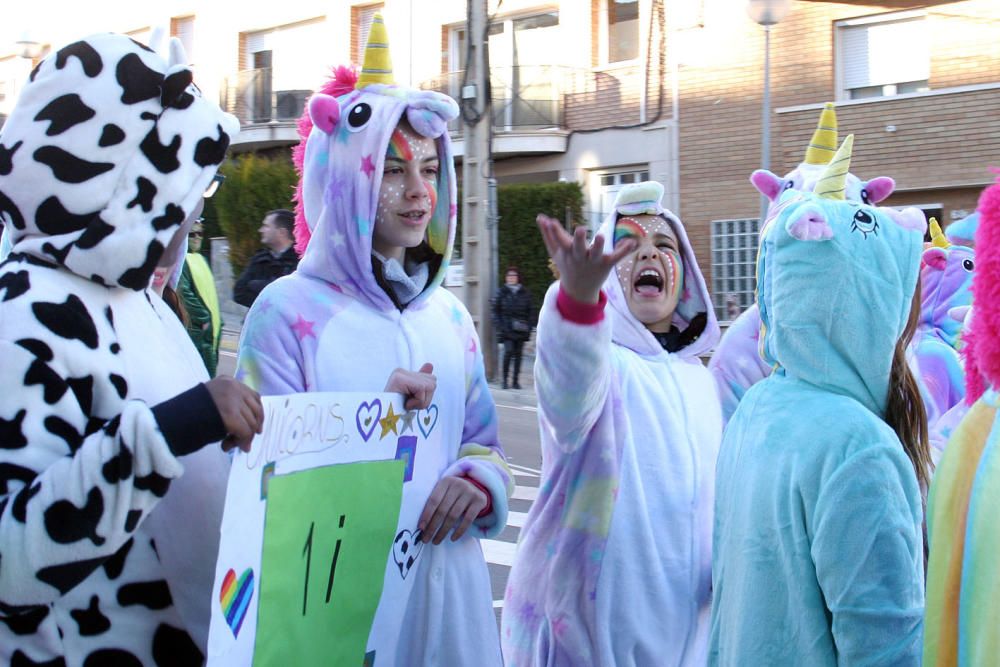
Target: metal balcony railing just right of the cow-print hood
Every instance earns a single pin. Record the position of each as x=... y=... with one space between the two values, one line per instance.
x=250 y=96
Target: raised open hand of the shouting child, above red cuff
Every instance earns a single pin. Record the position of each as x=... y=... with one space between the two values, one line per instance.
x=582 y=268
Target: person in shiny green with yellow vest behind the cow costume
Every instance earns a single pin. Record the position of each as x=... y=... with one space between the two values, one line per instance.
x=201 y=302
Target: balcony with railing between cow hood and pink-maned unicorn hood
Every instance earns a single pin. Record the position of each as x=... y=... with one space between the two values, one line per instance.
x=268 y=116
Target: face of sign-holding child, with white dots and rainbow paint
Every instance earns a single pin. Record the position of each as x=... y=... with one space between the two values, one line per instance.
x=408 y=194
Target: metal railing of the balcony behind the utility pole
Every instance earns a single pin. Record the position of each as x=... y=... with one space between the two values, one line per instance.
x=531 y=97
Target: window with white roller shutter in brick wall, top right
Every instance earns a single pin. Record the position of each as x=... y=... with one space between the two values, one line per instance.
x=882 y=56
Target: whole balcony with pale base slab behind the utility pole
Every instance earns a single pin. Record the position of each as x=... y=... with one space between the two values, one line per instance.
x=535 y=108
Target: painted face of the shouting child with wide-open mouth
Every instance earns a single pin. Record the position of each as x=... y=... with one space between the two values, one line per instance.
x=652 y=277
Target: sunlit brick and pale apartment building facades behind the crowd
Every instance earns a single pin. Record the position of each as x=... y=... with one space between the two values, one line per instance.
x=608 y=92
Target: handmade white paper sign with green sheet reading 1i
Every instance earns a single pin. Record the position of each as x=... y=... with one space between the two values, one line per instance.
x=318 y=541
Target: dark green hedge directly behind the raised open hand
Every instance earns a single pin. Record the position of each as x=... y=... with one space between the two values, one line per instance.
x=520 y=242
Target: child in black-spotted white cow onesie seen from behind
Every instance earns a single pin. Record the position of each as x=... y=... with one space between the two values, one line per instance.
x=110 y=503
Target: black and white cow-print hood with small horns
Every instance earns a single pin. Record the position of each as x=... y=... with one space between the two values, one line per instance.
x=107 y=150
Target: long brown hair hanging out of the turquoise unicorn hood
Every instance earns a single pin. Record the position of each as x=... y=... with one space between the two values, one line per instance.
x=905 y=411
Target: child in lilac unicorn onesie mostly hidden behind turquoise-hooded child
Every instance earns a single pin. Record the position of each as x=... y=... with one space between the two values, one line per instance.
x=737 y=364
